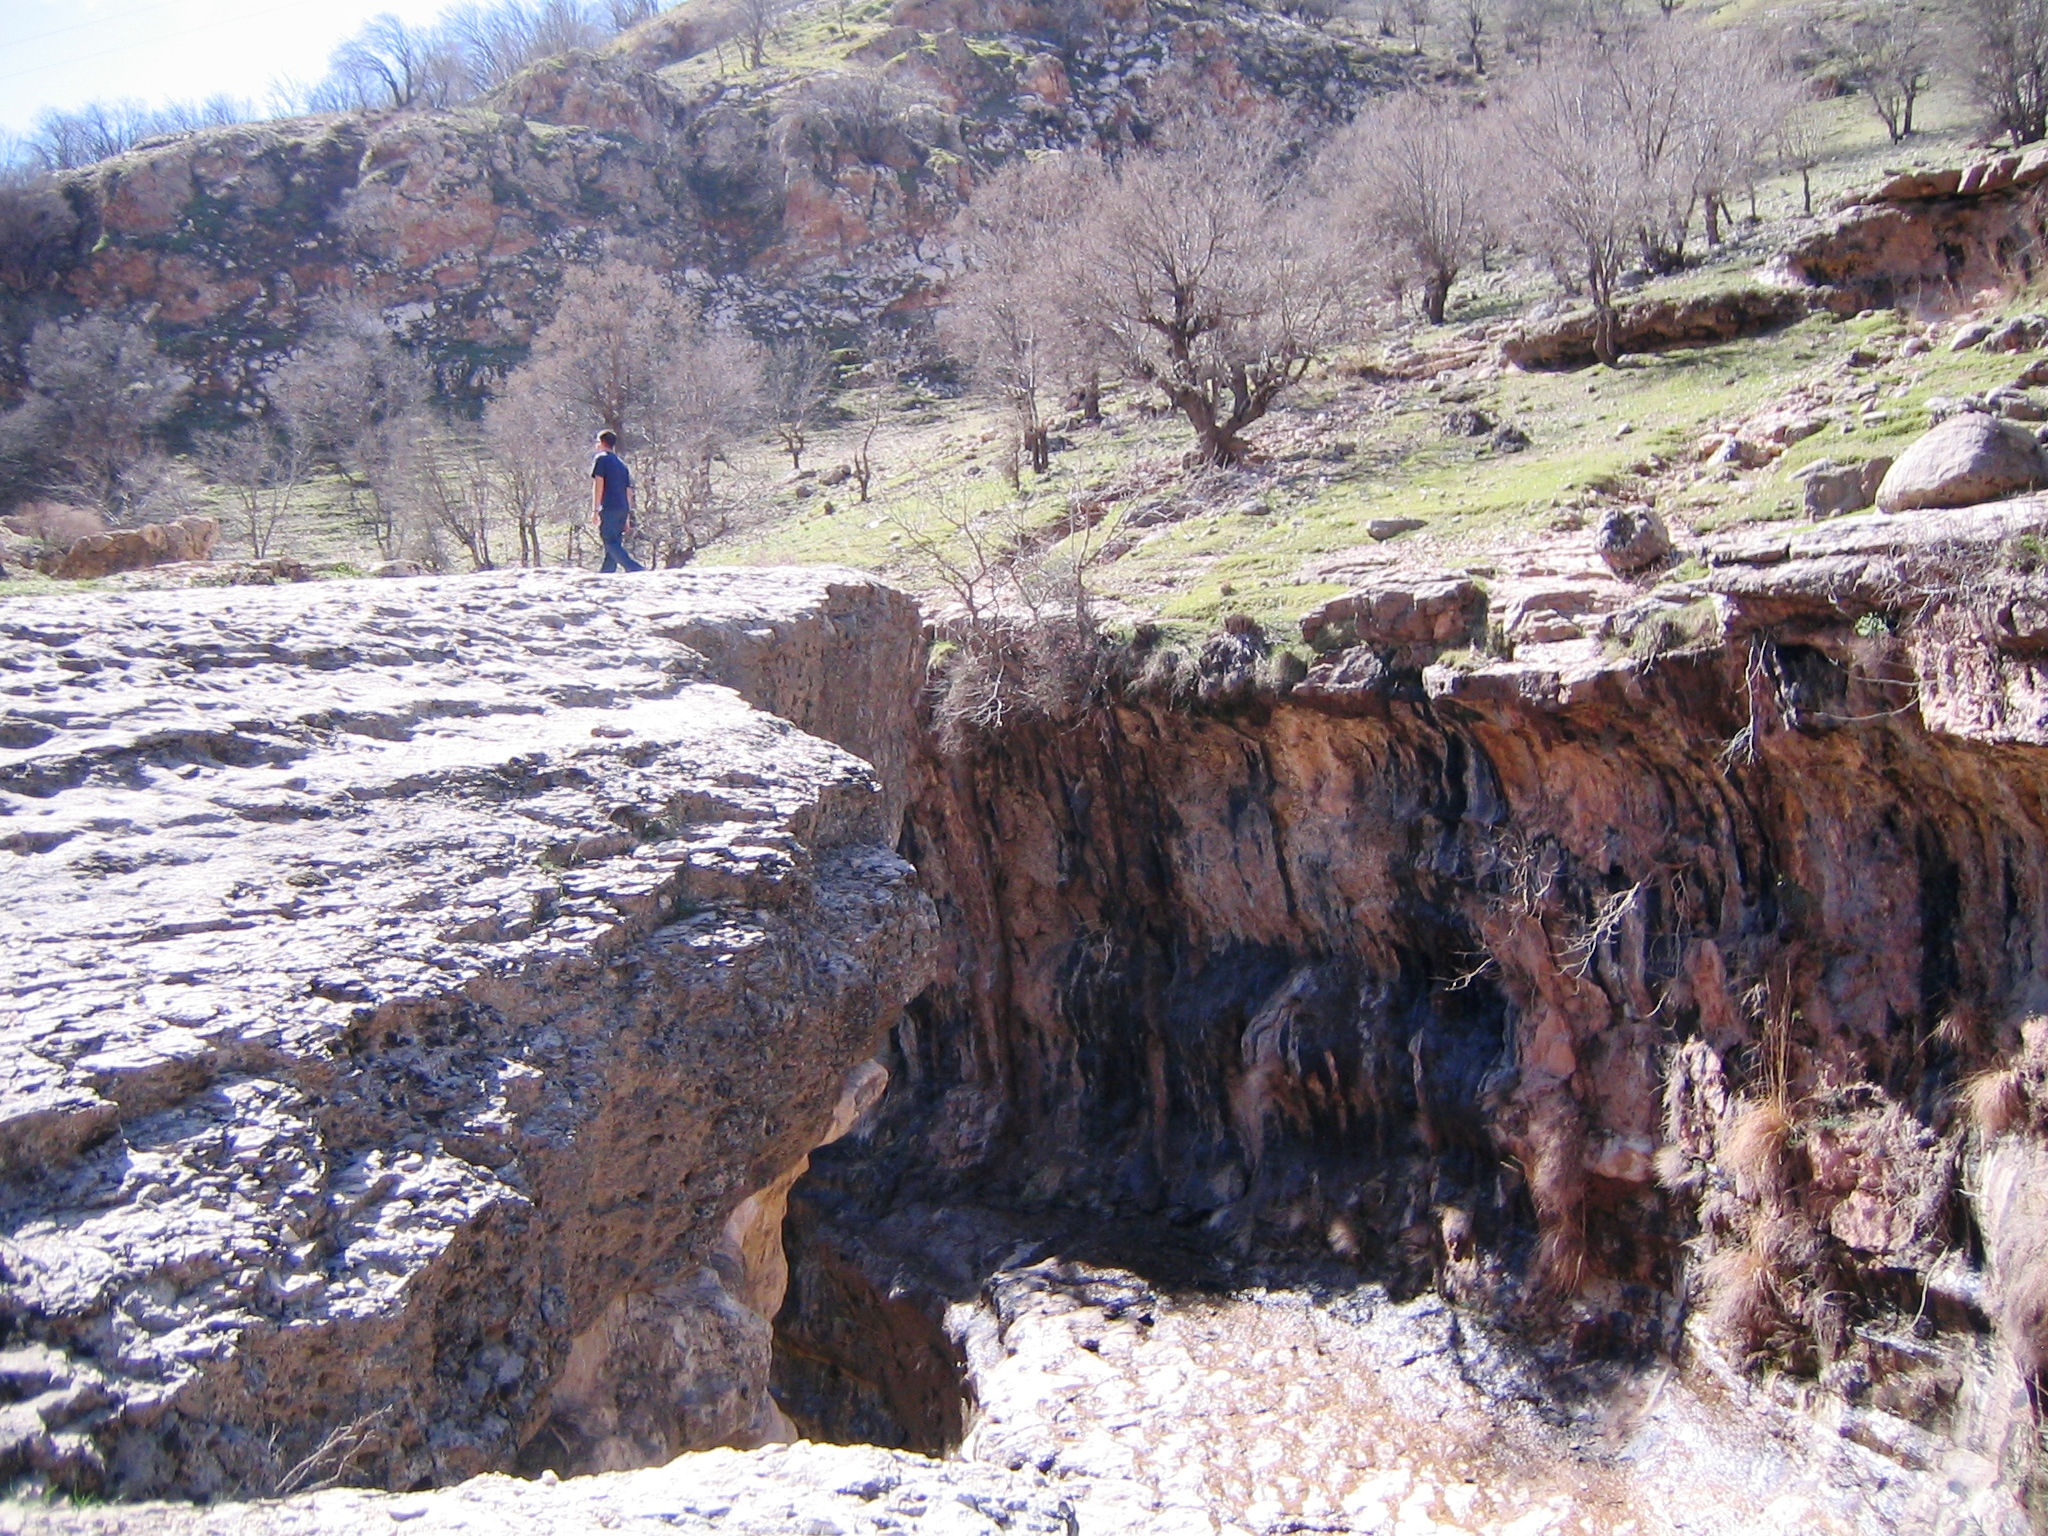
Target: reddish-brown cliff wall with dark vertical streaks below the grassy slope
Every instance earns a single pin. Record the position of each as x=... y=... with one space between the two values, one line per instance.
x=1625 y=992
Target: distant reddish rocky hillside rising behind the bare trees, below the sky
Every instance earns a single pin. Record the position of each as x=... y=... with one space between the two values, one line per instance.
x=775 y=204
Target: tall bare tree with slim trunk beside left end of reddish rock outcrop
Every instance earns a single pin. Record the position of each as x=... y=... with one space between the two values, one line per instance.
x=1580 y=177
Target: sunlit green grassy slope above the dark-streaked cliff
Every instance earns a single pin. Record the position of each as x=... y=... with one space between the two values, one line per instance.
x=1349 y=452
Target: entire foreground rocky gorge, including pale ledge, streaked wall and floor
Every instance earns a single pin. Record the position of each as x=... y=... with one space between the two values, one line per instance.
x=1439 y=1086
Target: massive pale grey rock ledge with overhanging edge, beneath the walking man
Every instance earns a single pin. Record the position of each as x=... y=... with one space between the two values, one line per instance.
x=415 y=1005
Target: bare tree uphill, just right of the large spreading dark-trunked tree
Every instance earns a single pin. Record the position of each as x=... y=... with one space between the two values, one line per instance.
x=1412 y=183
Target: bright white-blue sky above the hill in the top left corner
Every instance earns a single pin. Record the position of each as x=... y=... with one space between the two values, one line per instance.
x=71 y=52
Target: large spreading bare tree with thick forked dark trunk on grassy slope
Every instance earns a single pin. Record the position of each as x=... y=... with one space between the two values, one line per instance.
x=1207 y=271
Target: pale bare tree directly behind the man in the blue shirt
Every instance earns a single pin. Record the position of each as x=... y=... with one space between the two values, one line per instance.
x=626 y=351
